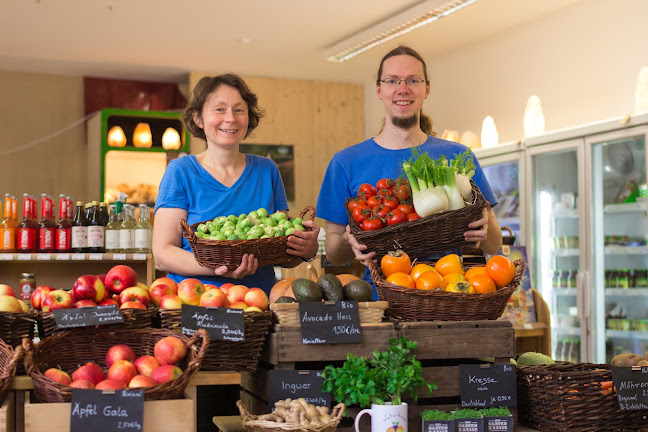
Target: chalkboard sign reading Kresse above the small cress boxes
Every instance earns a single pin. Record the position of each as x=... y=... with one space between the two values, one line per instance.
x=487 y=385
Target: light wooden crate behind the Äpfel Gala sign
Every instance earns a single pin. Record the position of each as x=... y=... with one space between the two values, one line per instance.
x=159 y=416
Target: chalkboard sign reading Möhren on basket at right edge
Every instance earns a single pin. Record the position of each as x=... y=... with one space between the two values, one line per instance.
x=631 y=387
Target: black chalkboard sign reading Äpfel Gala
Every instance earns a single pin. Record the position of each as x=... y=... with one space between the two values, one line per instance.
x=114 y=410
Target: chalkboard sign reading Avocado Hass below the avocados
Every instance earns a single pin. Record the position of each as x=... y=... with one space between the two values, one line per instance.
x=330 y=322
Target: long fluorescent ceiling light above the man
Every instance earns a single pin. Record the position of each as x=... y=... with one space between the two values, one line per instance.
x=417 y=16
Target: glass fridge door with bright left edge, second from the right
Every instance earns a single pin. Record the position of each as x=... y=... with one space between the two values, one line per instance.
x=555 y=241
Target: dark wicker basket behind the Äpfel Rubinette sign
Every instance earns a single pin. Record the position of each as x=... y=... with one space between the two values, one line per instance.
x=229 y=355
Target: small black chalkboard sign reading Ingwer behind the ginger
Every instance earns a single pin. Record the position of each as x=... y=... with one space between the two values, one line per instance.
x=294 y=384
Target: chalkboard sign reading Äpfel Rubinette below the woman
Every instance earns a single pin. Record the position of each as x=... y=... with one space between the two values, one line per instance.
x=221 y=323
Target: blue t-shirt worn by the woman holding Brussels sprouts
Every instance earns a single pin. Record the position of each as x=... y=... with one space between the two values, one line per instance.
x=187 y=185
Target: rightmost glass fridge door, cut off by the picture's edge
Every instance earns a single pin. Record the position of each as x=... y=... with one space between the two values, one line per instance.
x=619 y=231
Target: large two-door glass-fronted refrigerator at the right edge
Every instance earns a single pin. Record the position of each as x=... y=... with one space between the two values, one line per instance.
x=587 y=236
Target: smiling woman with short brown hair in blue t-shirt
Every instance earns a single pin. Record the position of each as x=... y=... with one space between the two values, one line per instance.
x=221 y=181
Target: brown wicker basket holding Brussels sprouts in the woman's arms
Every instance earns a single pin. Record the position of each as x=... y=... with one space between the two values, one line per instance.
x=217 y=253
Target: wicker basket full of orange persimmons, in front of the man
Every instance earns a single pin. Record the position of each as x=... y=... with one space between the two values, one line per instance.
x=445 y=290
